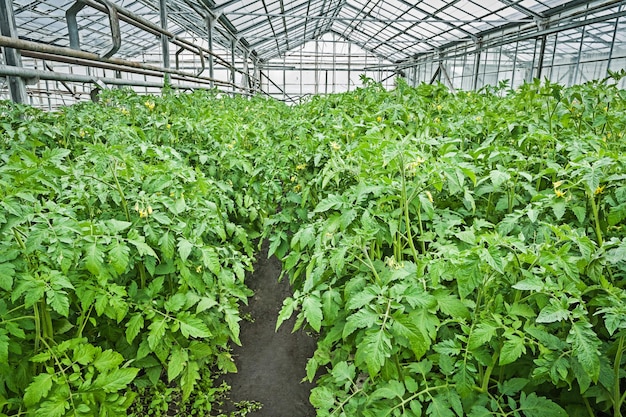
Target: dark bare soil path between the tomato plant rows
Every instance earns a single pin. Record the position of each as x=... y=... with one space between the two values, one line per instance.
x=271 y=364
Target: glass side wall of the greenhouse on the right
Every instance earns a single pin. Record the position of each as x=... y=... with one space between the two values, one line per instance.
x=570 y=56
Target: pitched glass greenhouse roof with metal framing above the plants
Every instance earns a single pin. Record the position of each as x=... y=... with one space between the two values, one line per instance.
x=395 y=30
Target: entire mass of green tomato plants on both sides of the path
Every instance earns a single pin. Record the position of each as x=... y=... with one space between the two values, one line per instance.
x=457 y=253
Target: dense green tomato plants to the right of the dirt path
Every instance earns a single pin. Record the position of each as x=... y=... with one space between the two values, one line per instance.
x=460 y=254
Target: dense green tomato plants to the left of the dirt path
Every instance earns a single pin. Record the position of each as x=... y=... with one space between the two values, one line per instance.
x=123 y=231
